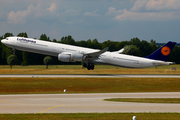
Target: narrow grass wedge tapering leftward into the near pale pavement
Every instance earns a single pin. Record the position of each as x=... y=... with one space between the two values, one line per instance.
x=146 y=100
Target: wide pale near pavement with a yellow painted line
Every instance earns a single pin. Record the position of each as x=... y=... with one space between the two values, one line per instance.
x=84 y=103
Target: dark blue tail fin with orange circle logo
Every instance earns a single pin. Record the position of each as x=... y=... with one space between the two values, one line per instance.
x=163 y=52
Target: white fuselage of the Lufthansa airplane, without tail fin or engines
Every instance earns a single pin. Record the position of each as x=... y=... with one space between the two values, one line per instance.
x=54 y=49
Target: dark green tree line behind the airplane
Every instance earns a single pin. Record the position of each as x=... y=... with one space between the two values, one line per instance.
x=136 y=47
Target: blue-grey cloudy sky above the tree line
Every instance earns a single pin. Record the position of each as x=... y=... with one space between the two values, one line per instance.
x=115 y=20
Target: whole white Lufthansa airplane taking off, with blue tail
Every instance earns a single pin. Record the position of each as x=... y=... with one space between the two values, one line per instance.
x=90 y=57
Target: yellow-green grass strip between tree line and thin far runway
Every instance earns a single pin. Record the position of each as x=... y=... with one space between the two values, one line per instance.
x=77 y=69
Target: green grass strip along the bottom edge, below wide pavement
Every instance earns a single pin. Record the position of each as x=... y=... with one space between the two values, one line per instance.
x=92 y=116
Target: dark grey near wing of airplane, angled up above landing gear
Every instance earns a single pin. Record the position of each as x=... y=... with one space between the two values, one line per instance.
x=95 y=55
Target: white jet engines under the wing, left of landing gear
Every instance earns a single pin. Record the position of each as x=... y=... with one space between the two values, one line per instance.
x=70 y=57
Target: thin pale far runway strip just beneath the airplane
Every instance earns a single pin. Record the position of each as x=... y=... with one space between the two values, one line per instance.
x=91 y=76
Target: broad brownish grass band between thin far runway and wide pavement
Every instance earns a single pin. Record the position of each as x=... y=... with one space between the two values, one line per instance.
x=87 y=85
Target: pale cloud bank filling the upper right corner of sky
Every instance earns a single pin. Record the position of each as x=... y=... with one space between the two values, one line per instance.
x=149 y=10
